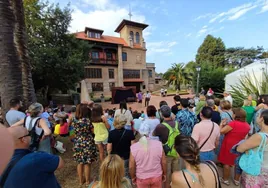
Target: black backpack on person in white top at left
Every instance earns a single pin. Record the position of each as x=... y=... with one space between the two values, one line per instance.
x=35 y=138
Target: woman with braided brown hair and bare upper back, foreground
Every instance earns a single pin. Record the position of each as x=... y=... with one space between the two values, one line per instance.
x=196 y=174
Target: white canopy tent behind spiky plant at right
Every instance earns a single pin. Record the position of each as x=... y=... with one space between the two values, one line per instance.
x=257 y=68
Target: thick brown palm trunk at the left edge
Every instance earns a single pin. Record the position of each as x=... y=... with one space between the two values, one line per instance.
x=15 y=69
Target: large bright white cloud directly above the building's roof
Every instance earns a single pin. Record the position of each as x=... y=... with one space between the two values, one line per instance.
x=106 y=19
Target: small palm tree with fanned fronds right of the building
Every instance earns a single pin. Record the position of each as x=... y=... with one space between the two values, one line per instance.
x=178 y=75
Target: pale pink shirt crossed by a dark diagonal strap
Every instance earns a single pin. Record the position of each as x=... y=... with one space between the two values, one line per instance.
x=201 y=132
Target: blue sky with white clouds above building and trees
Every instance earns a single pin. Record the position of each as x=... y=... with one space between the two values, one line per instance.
x=177 y=27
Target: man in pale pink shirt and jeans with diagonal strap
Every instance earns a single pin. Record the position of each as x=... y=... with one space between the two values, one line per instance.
x=207 y=135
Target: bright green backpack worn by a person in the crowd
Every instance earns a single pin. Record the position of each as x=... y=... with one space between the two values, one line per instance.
x=169 y=145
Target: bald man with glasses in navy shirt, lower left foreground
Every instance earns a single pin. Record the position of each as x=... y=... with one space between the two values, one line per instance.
x=29 y=169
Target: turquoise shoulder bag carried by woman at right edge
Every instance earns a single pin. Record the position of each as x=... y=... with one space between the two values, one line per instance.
x=251 y=162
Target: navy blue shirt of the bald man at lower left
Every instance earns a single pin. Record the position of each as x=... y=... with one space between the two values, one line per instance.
x=33 y=170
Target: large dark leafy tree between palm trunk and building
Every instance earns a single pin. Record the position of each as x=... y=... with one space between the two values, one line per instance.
x=57 y=57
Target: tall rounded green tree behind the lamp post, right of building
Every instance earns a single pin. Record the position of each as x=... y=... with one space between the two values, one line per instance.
x=212 y=50
